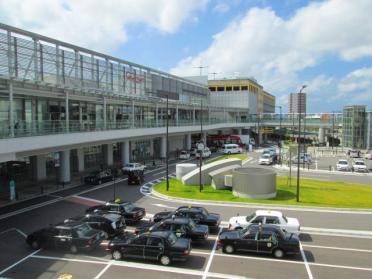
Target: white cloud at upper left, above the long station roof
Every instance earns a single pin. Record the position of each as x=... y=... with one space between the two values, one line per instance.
x=96 y=24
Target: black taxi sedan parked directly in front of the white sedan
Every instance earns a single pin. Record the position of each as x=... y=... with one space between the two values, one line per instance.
x=266 y=239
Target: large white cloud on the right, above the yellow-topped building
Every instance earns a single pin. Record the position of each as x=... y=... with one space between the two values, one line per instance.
x=275 y=50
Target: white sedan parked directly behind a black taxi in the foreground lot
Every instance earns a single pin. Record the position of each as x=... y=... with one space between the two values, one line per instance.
x=288 y=224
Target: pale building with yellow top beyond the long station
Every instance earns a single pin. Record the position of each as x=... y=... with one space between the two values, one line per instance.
x=241 y=92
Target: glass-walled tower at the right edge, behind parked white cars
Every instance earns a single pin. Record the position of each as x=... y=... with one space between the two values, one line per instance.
x=355 y=127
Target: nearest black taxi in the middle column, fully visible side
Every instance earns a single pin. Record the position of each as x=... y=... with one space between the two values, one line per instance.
x=164 y=247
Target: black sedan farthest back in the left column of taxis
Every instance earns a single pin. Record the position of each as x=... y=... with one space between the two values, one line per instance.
x=128 y=210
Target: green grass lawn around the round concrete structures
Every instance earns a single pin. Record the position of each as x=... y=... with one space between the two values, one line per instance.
x=312 y=193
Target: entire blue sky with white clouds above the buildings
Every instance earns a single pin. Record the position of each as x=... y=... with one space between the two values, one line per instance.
x=283 y=44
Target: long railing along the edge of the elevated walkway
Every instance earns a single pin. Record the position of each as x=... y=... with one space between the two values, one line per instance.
x=50 y=127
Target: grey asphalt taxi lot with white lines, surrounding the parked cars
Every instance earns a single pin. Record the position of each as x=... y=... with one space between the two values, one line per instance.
x=324 y=255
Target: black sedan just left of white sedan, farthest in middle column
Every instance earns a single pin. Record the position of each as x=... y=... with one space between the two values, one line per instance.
x=199 y=214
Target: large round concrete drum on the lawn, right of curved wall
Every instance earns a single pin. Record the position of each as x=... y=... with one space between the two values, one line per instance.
x=254 y=183
